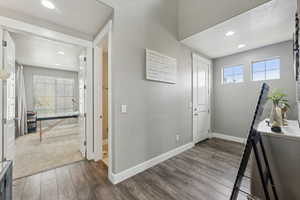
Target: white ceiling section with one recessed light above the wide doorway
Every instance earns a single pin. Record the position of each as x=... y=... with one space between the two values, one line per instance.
x=71 y=17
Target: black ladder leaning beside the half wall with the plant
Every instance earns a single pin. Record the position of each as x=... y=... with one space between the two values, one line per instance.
x=254 y=139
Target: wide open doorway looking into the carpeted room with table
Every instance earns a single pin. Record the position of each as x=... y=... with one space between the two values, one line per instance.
x=49 y=84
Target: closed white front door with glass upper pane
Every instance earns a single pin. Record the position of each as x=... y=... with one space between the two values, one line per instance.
x=201 y=100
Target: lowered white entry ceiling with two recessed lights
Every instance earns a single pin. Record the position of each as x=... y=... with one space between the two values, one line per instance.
x=267 y=24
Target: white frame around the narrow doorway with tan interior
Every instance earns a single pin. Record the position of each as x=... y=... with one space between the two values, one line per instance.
x=105 y=32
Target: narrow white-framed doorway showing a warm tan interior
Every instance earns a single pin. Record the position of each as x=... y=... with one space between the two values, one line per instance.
x=102 y=91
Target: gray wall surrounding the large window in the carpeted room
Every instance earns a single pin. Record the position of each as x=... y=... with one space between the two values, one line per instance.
x=30 y=71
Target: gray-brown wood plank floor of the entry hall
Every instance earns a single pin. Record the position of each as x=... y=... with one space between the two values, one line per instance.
x=205 y=172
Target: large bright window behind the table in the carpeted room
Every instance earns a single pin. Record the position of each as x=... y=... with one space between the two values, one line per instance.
x=53 y=95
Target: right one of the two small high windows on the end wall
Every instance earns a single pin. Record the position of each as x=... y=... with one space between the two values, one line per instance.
x=266 y=70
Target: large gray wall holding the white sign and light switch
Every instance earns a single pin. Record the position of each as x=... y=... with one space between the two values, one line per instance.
x=156 y=111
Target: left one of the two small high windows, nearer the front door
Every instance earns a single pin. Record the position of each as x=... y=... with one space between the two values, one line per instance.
x=234 y=74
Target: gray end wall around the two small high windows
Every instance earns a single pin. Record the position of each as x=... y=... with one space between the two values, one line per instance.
x=234 y=104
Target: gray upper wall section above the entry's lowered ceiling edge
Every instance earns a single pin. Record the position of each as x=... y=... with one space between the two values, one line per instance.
x=195 y=16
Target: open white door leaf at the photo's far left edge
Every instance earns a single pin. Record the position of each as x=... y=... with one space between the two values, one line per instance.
x=9 y=96
